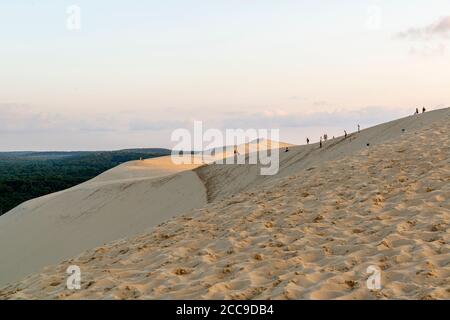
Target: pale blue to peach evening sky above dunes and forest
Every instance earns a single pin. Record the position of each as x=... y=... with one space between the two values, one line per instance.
x=102 y=75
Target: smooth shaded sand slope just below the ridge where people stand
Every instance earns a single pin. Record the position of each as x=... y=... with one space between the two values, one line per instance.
x=224 y=181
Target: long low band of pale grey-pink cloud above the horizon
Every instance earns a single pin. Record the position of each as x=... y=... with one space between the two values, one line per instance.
x=16 y=118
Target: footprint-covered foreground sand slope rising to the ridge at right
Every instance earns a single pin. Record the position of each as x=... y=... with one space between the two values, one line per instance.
x=309 y=233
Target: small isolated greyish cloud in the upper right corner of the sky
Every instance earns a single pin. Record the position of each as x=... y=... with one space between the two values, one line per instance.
x=439 y=29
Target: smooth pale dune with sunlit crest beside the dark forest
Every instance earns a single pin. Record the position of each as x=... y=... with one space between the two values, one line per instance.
x=120 y=202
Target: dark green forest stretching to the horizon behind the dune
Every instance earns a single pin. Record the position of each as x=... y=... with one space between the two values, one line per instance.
x=27 y=175
